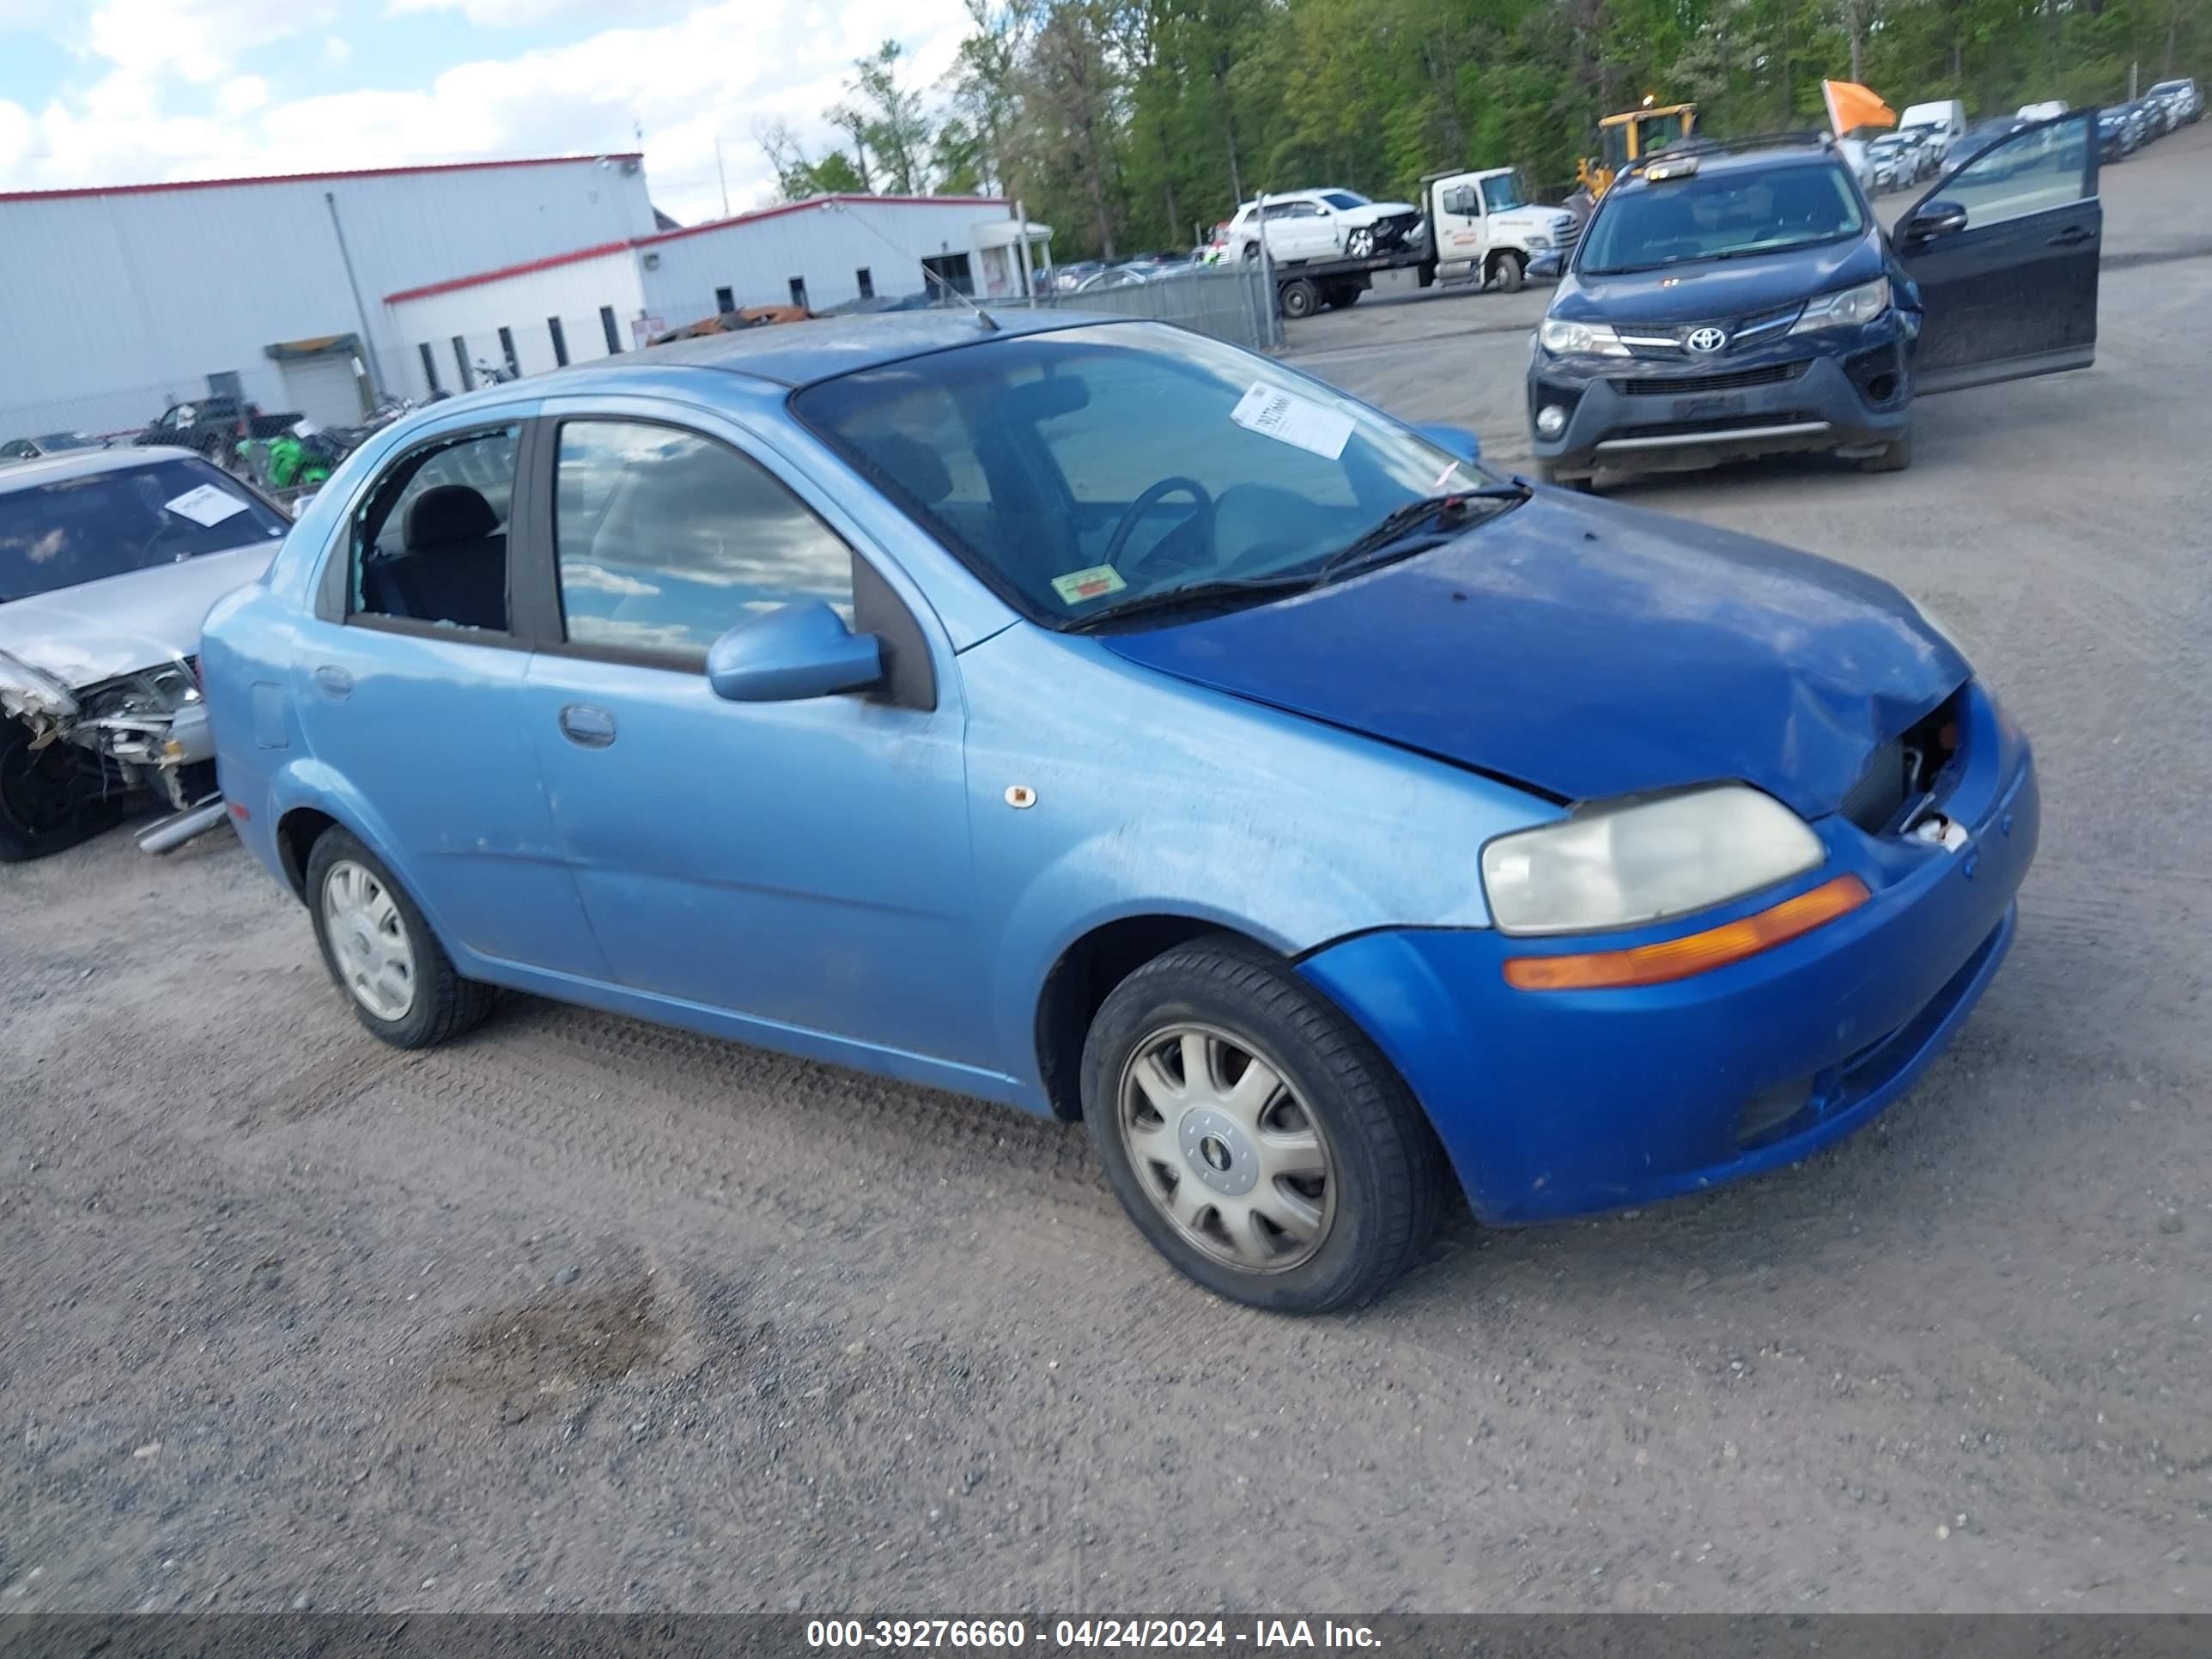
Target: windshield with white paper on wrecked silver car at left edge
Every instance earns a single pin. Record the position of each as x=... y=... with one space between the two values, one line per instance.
x=81 y=530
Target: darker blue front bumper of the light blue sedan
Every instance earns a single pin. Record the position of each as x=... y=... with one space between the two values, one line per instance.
x=1567 y=1103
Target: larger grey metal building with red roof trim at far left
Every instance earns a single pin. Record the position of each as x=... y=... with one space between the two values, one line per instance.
x=127 y=300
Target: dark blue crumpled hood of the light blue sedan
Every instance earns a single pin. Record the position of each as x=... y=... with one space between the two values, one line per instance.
x=1594 y=651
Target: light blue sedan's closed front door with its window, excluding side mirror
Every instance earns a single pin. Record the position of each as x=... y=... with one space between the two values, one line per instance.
x=802 y=864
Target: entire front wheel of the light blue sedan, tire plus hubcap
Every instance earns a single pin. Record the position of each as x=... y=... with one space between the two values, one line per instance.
x=1255 y=1136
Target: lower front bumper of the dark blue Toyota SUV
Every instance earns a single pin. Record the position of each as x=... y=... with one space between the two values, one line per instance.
x=1804 y=393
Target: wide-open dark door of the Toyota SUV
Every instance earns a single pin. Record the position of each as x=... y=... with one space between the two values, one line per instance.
x=2005 y=255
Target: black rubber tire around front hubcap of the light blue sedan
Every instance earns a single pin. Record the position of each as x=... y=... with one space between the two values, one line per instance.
x=1386 y=1167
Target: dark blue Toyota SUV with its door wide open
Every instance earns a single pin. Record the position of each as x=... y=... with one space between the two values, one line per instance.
x=1733 y=302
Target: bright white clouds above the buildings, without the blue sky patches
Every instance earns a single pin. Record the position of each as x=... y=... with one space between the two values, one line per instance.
x=696 y=74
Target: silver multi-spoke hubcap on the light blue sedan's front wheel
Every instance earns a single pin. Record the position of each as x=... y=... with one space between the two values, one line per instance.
x=1227 y=1149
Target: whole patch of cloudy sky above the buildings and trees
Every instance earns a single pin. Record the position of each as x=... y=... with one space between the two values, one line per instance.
x=134 y=92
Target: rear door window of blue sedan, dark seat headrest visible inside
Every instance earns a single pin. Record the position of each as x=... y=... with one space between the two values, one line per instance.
x=432 y=539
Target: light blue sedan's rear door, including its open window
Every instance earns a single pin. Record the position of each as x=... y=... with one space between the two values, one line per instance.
x=408 y=682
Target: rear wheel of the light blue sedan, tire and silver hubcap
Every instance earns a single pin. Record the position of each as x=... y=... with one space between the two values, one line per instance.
x=382 y=952
